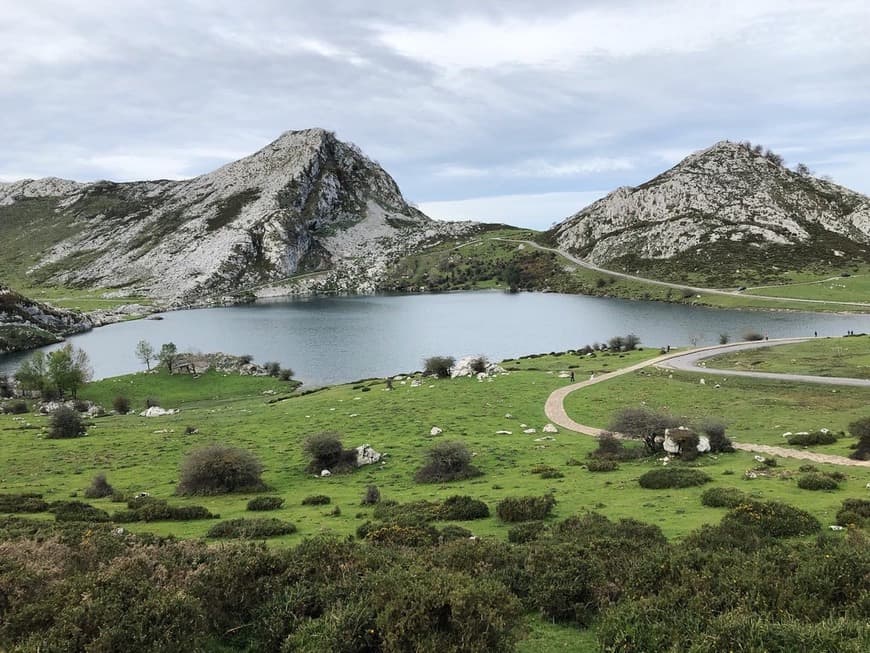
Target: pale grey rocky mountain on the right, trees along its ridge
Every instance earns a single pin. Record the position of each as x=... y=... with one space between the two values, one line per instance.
x=726 y=214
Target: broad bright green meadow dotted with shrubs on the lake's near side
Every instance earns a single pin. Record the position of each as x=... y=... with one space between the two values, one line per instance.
x=144 y=454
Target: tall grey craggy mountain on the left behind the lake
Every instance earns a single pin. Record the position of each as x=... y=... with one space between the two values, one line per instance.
x=306 y=203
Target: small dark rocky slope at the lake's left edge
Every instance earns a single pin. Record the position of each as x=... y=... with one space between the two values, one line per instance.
x=25 y=323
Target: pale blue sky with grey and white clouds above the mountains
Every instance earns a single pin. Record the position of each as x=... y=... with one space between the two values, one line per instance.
x=498 y=110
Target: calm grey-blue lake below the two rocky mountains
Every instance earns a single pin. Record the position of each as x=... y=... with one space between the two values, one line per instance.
x=336 y=339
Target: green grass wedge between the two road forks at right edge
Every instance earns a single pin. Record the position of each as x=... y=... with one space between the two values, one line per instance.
x=847 y=357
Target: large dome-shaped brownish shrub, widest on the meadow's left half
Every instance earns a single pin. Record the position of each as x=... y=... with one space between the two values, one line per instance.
x=219 y=469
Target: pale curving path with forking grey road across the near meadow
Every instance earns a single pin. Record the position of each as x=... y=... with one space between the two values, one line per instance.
x=554 y=408
